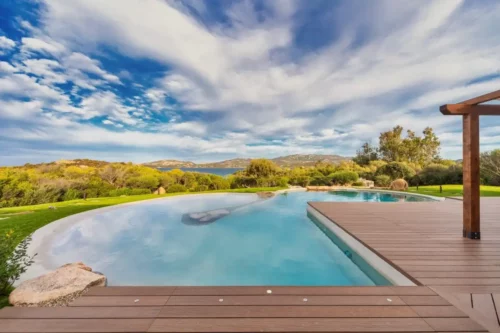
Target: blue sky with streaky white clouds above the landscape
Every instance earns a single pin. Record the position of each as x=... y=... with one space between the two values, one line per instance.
x=140 y=80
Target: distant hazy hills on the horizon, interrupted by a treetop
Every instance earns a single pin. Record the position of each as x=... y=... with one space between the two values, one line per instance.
x=282 y=161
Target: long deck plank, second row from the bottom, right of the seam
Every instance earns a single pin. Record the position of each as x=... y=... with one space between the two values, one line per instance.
x=287 y=311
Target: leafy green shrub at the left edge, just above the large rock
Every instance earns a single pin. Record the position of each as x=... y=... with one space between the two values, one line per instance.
x=14 y=260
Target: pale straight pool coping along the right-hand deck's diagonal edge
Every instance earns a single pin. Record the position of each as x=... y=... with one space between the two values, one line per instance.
x=380 y=265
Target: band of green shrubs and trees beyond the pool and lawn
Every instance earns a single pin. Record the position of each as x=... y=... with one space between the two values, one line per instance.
x=411 y=157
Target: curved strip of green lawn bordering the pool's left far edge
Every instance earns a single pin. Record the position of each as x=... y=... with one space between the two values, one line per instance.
x=25 y=220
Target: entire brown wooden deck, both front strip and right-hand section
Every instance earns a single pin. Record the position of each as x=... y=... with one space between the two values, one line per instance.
x=460 y=289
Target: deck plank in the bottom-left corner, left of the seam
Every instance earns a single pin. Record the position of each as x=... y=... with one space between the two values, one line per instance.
x=74 y=325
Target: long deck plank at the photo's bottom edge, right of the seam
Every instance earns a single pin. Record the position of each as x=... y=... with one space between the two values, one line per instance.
x=292 y=325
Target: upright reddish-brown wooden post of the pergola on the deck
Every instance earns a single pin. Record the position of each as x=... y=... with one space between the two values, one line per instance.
x=471 y=176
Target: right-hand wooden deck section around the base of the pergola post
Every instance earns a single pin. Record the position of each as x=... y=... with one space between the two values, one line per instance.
x=424 y=240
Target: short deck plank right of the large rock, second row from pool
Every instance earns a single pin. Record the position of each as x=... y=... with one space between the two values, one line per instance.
x=120 y=301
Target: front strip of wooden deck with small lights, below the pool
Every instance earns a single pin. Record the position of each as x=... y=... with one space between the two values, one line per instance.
x=246 y=309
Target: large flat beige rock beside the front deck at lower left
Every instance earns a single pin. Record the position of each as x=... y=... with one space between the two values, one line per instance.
x=57 y=288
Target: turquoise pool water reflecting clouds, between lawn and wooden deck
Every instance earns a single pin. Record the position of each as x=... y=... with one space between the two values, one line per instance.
x=255 y=242
